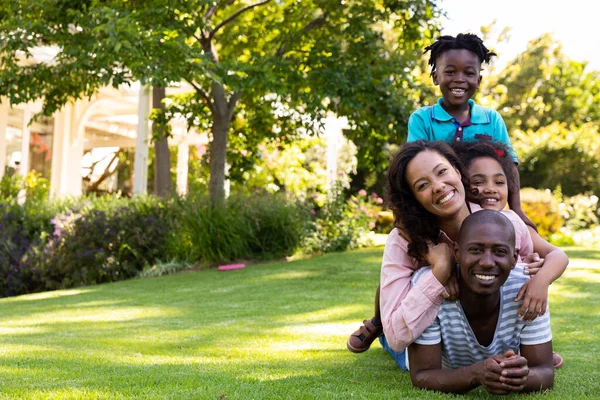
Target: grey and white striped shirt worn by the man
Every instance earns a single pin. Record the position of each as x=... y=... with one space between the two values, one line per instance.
x=459 y=344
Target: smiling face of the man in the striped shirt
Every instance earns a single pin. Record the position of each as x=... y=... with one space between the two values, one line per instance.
x=486 y=256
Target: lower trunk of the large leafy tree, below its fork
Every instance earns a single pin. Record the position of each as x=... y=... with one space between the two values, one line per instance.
x=218 y=159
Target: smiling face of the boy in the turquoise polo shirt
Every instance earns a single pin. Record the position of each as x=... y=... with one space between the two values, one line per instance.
x=457 y=74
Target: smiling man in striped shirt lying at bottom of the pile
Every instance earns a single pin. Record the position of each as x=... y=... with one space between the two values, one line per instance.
x=479 y=339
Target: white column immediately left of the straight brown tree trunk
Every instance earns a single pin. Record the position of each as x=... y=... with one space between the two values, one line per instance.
x=140 y=163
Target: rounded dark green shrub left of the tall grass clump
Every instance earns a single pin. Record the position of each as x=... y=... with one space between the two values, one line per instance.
x=102 y=243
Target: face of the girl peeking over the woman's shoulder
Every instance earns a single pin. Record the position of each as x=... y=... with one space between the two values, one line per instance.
x=488 y=183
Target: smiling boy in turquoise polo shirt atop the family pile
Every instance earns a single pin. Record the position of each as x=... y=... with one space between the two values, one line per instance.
x=456 y=69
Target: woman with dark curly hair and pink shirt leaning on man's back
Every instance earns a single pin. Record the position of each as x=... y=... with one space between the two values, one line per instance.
x=426 y=192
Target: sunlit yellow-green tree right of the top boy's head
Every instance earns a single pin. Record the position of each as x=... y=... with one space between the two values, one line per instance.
x=541 y=86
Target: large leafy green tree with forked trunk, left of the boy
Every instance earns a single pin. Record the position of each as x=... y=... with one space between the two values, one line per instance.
x=245 y=59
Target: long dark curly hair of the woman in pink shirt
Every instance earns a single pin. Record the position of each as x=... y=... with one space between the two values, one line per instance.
x=409 y=215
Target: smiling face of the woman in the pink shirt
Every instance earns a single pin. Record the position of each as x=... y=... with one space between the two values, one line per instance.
x=435 y=183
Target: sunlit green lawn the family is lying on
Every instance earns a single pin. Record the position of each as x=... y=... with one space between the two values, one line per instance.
x=270 y=331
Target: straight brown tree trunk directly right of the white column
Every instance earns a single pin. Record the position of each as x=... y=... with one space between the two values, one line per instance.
x=162 y=162
